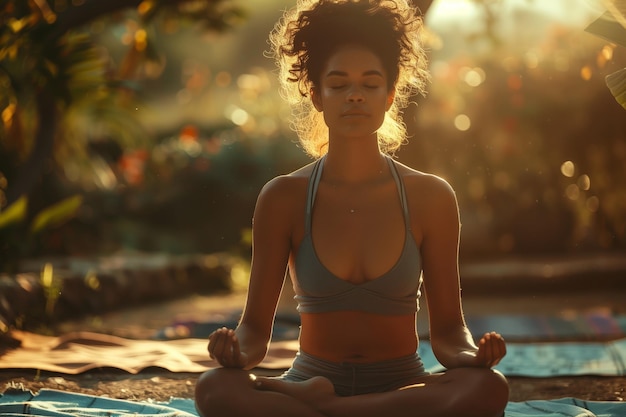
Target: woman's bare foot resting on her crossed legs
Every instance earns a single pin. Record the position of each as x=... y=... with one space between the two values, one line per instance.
x=315 y=391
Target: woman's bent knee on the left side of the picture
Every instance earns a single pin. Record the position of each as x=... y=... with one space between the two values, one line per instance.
x=217 y=390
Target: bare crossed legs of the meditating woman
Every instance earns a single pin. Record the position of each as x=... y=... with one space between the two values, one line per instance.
x=467 y=392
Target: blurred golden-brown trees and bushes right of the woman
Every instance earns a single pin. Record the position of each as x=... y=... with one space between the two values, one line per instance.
x=532 y=143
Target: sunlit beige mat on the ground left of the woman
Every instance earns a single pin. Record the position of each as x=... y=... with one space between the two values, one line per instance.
x=78 y=352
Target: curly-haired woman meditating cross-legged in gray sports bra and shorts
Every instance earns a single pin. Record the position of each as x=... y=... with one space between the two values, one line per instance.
x=357 y=231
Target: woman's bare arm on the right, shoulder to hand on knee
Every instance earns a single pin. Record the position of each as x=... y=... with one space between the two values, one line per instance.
x=451 y=340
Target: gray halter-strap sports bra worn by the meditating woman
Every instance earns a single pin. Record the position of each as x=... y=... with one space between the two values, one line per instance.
x=319 y=290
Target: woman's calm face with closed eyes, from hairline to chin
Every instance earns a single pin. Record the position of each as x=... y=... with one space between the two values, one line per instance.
x=352 y=92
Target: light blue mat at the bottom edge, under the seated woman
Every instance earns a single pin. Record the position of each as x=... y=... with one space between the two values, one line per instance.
x=64 y=404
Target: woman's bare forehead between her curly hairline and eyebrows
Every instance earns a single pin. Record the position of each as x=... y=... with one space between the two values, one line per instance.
x=353 y=59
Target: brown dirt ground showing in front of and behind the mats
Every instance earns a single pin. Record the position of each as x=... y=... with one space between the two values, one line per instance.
x=158 y=385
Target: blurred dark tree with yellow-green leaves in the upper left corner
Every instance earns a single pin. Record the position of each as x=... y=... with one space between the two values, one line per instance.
x=58 y=87
